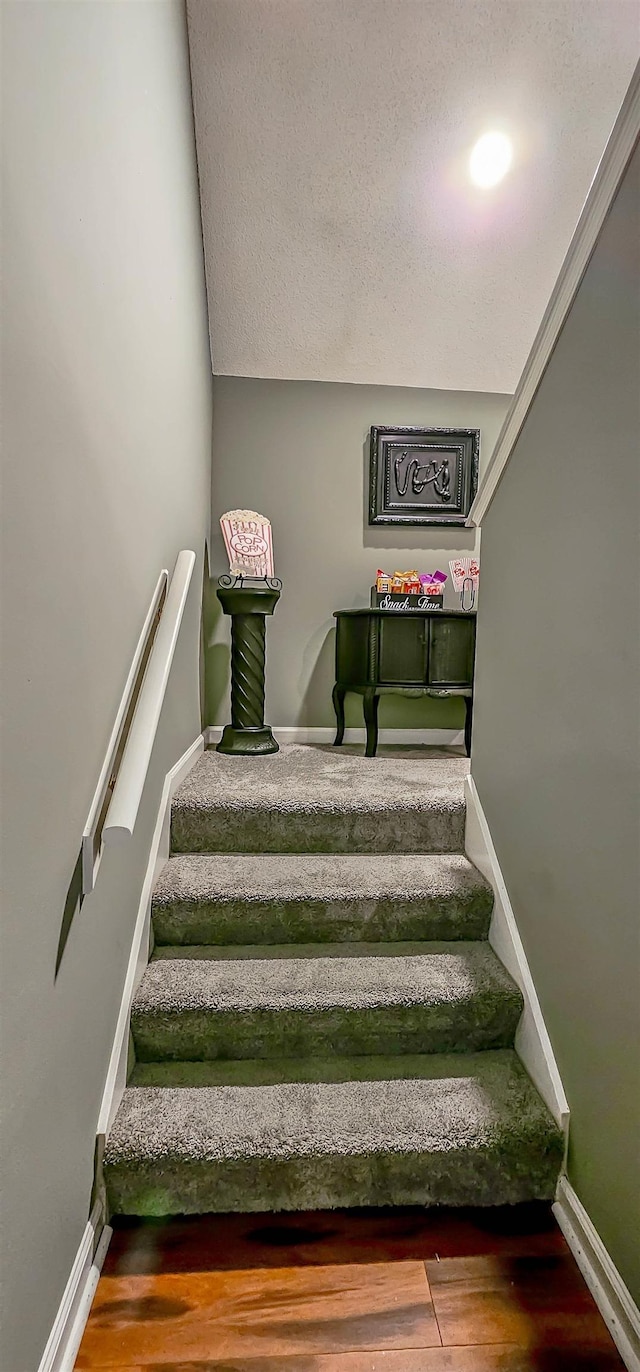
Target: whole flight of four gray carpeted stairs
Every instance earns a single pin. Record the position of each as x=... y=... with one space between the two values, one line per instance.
x=323 y=1021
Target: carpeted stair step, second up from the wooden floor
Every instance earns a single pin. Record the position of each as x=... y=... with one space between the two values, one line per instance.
x=418 y=998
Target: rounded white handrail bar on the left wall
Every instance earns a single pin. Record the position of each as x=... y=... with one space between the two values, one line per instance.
x=126 y=802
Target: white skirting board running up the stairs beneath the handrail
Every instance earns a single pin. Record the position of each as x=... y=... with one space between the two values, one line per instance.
x=159 y=855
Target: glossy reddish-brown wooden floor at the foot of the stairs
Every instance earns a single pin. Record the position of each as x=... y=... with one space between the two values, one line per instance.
x=347 y=1292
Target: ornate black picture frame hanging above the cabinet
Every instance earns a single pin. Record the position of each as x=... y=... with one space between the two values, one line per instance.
x=422 y=477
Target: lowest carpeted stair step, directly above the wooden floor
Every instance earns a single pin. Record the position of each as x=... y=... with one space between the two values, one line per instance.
x=465 y=1130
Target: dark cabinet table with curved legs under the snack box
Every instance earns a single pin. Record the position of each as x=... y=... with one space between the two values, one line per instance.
x=384 y=652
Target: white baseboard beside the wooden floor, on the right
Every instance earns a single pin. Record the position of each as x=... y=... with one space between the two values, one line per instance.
x=616 y=1304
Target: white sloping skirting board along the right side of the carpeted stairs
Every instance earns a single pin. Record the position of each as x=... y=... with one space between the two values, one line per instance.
x=532 y=1041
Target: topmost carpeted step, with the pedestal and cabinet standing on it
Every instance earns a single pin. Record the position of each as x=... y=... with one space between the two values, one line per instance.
x=321 y=801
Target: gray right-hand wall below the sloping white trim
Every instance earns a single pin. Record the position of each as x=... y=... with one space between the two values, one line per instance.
x=556 y=751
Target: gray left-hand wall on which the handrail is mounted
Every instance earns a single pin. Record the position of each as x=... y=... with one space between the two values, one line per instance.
x=106 y=477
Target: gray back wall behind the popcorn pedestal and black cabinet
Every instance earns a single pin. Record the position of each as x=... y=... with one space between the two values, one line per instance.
x=299 y=453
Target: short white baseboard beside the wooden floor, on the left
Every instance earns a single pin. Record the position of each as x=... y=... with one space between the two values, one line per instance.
x=65 y=1338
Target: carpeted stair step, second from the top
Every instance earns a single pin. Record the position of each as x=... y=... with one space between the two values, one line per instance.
x=319 y=898
